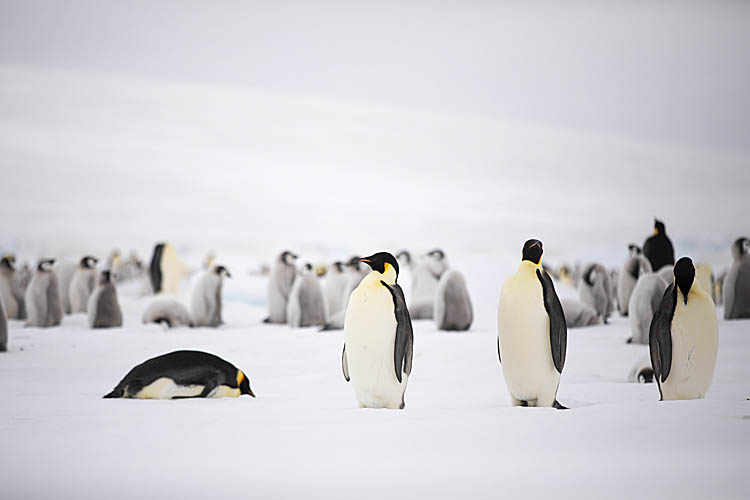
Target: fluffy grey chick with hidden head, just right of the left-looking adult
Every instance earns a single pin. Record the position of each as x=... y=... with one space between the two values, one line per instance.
x=453 y=311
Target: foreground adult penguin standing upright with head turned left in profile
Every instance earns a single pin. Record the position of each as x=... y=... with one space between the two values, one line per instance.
x=378 y=337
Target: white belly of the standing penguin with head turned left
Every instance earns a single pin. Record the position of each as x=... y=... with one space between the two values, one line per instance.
x=370 y=336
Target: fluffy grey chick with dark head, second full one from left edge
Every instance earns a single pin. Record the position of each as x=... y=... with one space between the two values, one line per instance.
x=43 y=306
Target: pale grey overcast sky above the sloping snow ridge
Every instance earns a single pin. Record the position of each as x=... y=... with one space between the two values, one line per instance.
x=674 y=72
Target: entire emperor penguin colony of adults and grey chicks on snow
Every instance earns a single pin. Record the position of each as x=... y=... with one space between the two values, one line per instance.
x=670 y=307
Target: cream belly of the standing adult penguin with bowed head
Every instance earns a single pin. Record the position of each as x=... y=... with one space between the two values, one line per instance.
x=695 y=343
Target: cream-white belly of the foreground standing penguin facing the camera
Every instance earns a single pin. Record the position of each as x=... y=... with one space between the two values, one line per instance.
x=526 y=355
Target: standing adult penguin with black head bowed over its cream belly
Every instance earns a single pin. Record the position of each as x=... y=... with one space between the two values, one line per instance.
x=684 y=337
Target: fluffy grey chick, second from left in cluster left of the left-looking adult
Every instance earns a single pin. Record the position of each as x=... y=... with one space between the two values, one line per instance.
x=306 y=305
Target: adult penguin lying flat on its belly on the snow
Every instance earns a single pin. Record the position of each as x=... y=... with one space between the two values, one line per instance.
x=183 y=374
